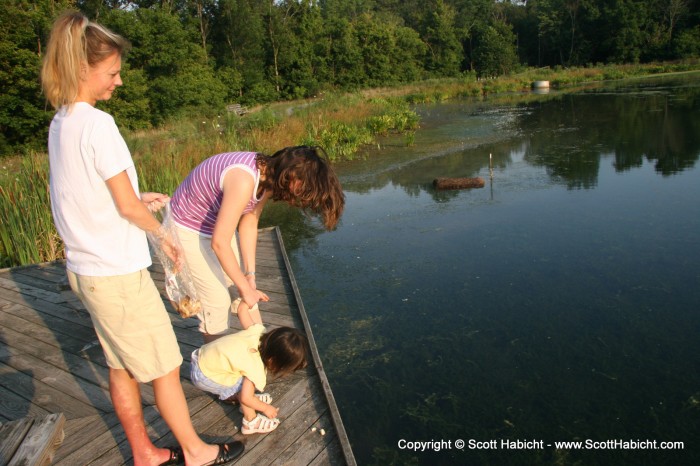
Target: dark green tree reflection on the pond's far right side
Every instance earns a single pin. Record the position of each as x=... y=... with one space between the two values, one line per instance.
x=570 y=135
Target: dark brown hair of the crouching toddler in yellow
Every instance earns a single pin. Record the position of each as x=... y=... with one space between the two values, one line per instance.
x=283 y=350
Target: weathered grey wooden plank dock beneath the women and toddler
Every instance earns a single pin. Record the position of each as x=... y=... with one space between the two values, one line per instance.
x=51 y=362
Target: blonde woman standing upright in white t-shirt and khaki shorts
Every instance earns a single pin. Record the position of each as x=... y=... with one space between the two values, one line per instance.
x=103 y=221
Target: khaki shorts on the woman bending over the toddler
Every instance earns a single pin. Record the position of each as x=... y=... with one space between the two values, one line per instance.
x=215 y=290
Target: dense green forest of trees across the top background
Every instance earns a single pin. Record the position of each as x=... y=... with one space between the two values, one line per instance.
x=192 y=57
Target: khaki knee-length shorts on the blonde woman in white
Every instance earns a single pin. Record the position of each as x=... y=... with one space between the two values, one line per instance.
x=131 y=323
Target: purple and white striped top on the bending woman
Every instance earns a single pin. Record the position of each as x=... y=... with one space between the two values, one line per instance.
x=196 y=202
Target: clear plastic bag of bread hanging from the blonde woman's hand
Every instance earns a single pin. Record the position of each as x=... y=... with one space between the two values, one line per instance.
x=179 y=285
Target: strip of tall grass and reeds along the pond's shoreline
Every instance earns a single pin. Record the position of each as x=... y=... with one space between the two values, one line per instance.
x=343 y=124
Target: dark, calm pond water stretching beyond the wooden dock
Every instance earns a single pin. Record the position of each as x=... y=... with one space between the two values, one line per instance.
x=561 y=302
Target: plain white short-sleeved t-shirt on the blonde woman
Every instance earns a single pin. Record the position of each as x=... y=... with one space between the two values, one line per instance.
x=85 y=150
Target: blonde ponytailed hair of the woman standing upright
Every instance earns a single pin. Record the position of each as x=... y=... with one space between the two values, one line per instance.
x=74 y=43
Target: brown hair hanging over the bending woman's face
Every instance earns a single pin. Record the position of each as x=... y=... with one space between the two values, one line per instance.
x=320 y=189
